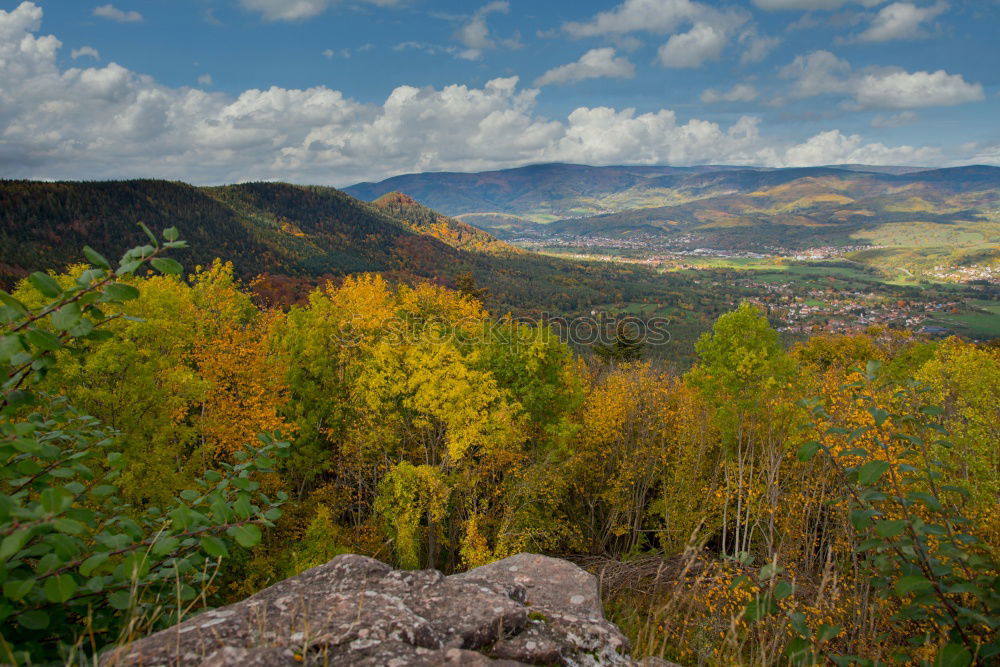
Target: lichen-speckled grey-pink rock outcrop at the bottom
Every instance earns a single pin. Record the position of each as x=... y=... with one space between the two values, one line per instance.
x=525 y=609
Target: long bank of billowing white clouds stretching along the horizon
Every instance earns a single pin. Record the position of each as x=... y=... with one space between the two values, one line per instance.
x=111 y=122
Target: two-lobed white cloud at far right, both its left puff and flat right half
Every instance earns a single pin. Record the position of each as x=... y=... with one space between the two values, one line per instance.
x=821 y=72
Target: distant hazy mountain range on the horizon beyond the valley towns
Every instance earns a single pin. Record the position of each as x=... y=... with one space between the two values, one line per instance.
x=722 y=205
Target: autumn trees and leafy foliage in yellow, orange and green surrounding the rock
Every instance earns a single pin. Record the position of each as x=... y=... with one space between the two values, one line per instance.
x=425 y=432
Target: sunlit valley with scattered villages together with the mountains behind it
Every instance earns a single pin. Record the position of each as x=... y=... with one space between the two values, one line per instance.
x=824 y=249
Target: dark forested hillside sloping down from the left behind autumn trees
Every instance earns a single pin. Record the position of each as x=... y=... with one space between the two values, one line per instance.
x=292 y=238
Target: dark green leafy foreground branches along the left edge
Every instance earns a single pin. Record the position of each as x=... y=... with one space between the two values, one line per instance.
x=80 y=568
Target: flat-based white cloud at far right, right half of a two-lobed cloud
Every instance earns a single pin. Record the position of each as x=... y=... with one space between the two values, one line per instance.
x=903 y=90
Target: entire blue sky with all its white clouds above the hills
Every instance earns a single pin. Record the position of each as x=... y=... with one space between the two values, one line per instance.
x=332 y=92
